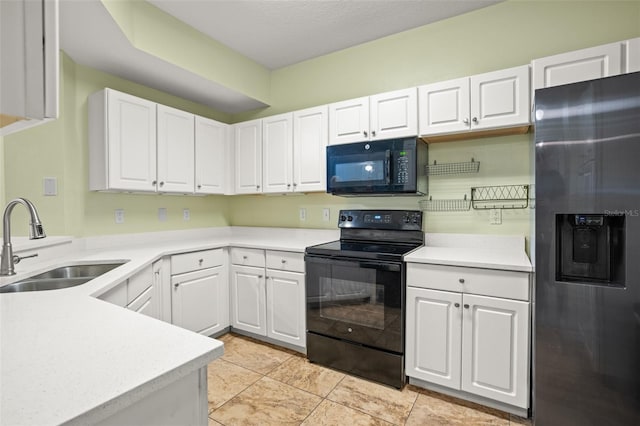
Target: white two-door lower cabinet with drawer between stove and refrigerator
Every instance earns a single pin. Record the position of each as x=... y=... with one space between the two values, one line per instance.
x=467 y=342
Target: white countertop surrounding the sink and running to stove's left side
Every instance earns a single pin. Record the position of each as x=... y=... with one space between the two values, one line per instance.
x=68 y=357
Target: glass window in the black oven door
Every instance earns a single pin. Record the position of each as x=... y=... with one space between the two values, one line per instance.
x=353 y=302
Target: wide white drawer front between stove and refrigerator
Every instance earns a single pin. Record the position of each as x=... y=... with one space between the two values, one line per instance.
x=489 y=282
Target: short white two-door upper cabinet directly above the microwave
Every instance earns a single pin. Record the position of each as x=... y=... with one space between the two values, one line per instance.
x=382 y=116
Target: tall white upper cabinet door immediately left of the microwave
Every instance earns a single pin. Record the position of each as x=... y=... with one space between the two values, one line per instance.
x=310 y=139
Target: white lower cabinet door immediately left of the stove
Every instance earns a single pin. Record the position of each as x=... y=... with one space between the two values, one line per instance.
x=286 y=307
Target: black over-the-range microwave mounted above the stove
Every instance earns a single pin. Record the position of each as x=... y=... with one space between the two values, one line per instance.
x=385 y=167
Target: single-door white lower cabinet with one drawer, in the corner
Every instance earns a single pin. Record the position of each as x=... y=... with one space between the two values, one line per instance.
x=200 y=291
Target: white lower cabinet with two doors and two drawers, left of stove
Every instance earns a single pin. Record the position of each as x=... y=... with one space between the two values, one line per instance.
x=267 y=294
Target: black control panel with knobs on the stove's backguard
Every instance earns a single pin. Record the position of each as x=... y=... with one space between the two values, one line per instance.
x=381 y=219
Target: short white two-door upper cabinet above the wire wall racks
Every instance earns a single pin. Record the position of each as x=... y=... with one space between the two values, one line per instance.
x=492 y=100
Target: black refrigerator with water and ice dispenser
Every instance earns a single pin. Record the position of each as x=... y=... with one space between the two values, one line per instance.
x=586 y=364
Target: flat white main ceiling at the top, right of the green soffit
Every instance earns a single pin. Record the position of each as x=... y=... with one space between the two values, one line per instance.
x=277 y=33
